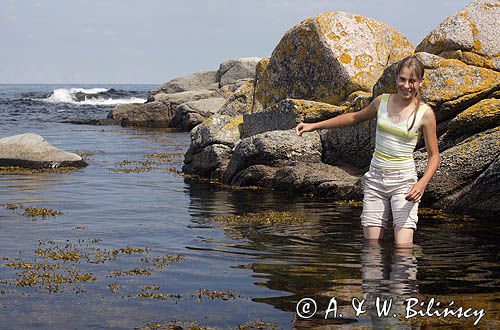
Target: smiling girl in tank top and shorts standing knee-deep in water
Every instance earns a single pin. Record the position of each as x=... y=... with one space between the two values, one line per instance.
x=391 y=184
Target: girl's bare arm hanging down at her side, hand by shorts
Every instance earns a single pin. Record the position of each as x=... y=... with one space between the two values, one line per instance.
x=430 y=136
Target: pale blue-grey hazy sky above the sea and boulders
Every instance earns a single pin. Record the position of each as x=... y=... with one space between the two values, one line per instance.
x=153 y=41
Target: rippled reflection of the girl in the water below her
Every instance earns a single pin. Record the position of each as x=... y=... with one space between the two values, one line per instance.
x=388 y=277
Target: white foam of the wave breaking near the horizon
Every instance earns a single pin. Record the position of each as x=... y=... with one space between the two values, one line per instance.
x=62 y=95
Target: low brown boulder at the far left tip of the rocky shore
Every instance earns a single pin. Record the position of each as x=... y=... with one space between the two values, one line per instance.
x=151 y=114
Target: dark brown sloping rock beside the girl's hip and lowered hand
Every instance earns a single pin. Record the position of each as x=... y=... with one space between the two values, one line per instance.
x=459 y=166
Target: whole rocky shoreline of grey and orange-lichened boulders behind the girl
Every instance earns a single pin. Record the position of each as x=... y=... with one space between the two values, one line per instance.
x=242 y=124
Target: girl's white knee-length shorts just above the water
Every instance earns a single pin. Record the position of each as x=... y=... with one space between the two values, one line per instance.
x=385 y=192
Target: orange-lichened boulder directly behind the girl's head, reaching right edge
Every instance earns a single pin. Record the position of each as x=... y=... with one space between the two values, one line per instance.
x=450 y=86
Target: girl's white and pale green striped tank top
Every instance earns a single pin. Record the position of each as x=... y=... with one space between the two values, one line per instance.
x=394 y=143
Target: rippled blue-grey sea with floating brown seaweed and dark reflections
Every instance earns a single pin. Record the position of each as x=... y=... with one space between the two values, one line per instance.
x=130 y=242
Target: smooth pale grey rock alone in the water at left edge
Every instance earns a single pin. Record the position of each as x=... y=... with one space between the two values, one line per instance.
x=33 y=151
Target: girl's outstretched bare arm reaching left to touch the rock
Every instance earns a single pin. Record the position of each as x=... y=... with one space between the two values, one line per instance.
x=346 y=119
